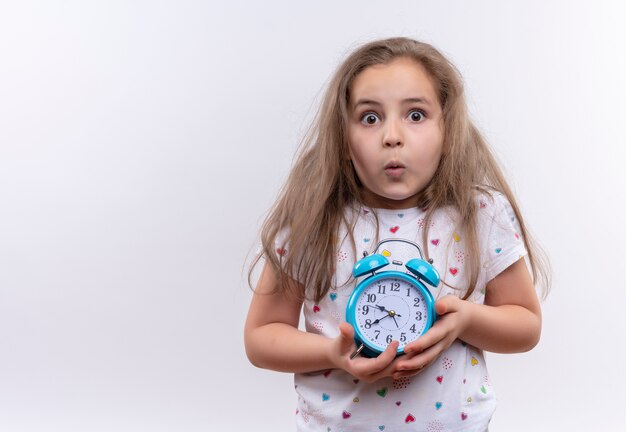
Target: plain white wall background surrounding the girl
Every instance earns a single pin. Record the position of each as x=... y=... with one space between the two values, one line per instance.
x=142 y=142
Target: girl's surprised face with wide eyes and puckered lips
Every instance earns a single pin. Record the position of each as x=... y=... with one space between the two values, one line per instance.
x=395 y=134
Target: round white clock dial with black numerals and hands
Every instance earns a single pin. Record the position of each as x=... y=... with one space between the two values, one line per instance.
x=392 y=308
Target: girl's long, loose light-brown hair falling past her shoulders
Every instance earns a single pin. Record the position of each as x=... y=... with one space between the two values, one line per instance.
x=322 y=182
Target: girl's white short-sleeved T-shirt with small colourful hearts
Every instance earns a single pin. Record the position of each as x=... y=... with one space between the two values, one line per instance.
x=454 y=392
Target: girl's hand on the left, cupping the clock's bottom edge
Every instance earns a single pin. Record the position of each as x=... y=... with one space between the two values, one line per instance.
x=366 y=369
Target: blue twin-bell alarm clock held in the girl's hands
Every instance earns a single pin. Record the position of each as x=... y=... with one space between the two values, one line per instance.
x=392 y=304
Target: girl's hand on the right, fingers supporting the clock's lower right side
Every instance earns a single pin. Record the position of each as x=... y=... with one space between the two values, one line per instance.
x=451 y=322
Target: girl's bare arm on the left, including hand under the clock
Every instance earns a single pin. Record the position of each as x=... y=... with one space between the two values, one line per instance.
x=273 y=341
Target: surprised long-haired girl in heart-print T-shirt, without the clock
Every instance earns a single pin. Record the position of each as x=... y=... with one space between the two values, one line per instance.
x=393 y=155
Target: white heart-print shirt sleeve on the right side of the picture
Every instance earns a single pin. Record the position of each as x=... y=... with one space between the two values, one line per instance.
x=504 y=245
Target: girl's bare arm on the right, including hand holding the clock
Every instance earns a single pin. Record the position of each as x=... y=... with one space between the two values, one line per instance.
x=508 y=322
